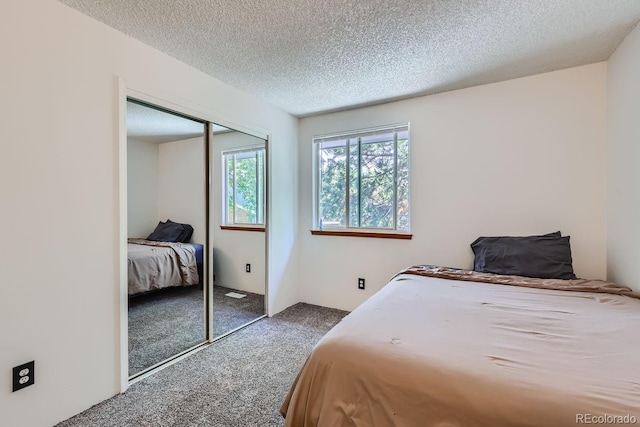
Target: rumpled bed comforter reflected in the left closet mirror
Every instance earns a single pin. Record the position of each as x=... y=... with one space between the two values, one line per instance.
x=156 y=265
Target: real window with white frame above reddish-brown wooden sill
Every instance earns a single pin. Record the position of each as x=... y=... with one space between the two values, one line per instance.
x=362 y=180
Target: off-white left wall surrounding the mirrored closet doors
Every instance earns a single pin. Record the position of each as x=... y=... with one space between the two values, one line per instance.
x=59 y=299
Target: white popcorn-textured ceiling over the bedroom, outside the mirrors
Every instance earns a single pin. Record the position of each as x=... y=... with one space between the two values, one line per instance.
x=313 y=56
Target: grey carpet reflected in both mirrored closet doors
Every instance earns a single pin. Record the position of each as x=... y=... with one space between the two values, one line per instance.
x=165 y=323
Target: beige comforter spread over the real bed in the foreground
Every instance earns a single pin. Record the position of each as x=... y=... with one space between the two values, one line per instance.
x=439 y=349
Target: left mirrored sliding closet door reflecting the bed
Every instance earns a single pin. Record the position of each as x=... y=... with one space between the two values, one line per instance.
x=167 y=170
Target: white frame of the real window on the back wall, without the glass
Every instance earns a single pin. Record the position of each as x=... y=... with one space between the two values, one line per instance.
x=348 y=229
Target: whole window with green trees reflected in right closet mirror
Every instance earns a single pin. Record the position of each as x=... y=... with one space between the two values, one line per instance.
x=244 y=186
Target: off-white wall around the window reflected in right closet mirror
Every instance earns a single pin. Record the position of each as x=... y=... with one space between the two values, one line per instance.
x=233 y=249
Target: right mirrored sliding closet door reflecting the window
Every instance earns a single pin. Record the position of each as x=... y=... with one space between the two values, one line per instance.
x=238 y=231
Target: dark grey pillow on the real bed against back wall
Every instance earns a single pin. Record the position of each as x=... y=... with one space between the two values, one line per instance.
x=545 y=257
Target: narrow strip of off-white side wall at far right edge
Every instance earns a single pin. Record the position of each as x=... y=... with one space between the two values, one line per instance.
x=623 y=221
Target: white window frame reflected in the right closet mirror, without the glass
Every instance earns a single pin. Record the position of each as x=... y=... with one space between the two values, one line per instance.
x=259 y=225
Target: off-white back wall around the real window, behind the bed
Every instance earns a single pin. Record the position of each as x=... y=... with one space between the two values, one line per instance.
x=520 y=157
